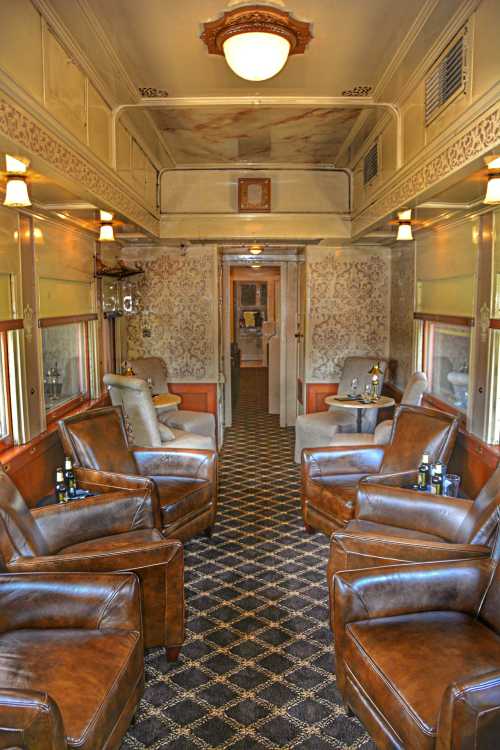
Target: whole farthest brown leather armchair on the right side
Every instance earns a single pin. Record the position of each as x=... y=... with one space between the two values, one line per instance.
x=330 y=475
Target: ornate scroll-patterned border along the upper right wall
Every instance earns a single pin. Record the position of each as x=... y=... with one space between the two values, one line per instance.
x=478 y=138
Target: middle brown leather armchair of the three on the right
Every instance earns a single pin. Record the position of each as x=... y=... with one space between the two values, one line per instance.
x=394 y=525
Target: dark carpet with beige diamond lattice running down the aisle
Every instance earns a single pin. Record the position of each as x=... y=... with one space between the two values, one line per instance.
x=256 y=669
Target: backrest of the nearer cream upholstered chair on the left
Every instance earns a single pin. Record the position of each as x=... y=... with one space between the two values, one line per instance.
x=134 y=396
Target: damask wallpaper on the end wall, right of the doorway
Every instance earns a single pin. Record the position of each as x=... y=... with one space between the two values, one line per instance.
x=348 y=308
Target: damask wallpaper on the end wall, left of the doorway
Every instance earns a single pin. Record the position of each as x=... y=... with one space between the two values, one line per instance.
x=178 y=318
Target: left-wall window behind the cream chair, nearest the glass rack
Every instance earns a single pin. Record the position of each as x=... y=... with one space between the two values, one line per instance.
x=67 y=363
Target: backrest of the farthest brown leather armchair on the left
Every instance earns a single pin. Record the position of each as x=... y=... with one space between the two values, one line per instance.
x=97 y=439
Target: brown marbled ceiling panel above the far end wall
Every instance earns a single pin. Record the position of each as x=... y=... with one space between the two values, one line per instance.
x=258 y=134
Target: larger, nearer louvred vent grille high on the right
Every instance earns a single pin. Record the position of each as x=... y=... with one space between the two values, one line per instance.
x=446 y=78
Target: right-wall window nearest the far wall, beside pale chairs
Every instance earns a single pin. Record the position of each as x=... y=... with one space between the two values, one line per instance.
x=446 y=352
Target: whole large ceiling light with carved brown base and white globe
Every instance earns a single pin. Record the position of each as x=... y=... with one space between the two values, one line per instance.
x=256 y=40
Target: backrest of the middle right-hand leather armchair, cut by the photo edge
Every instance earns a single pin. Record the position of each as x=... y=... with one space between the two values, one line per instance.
x=481 y=523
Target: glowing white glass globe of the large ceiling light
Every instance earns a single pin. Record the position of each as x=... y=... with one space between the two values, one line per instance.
x=256 y=55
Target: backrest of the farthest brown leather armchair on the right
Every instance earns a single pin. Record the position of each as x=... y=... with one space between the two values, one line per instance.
x=417 y=430
